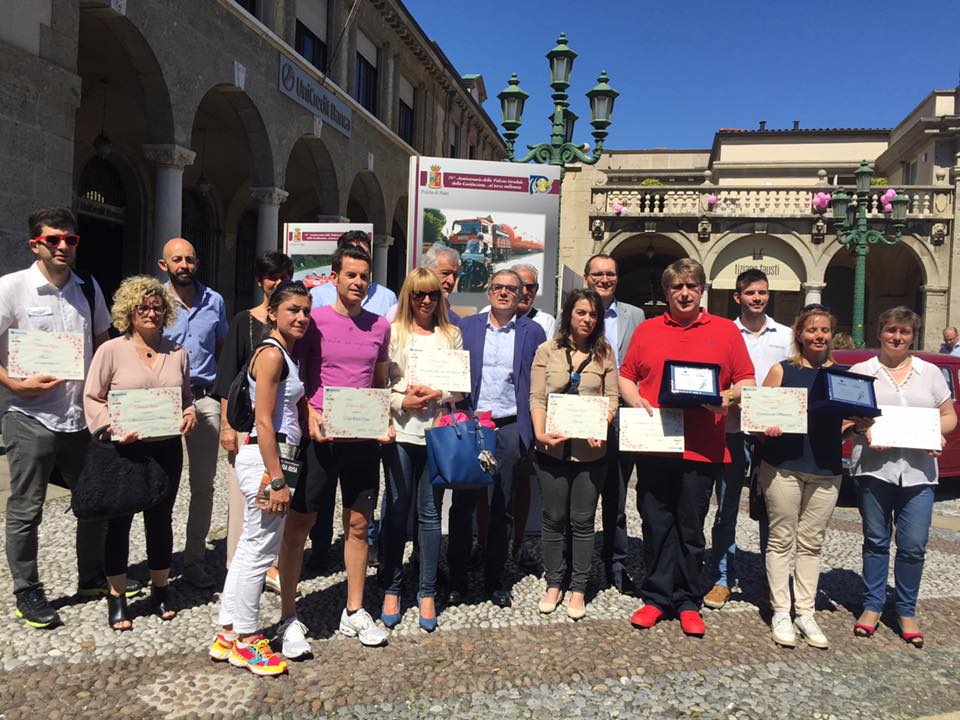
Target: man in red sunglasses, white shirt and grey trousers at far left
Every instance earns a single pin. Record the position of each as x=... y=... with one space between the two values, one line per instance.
x=43 y=426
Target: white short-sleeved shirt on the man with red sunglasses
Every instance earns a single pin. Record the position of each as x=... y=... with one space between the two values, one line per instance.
x=31 y=302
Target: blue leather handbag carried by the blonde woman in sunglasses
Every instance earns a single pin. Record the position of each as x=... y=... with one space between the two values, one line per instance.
x=461 y=456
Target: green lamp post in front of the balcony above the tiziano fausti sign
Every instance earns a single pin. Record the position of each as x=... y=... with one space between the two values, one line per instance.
x=854 y=232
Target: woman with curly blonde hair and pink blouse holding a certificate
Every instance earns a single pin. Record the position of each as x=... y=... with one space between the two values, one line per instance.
x=141 y=358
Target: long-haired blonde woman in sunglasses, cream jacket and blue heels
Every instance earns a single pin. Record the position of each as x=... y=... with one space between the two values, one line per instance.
x=421 y=322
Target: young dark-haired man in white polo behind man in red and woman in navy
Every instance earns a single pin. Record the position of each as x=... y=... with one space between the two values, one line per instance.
x=768 y=342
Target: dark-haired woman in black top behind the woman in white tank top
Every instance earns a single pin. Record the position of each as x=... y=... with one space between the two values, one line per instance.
x=247 y=329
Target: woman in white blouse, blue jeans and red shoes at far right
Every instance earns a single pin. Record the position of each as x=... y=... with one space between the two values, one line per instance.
x=895 y=486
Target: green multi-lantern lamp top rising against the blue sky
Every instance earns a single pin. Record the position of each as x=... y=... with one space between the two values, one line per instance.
x=560 y=150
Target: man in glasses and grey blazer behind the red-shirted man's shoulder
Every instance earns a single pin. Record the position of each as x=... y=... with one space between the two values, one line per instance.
x=620 y=319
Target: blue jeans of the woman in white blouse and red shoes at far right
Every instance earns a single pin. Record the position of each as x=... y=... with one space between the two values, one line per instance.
x=884 y=505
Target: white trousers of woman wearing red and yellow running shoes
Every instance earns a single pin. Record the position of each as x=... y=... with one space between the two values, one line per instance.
x=257 y=547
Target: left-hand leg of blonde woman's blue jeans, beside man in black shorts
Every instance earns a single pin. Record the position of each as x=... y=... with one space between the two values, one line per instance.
x=406 y=465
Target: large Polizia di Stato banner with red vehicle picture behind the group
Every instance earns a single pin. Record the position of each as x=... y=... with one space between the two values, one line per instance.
x=495 y=214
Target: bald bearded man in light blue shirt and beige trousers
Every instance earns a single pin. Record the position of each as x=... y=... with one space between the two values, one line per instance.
x=200 y=327
